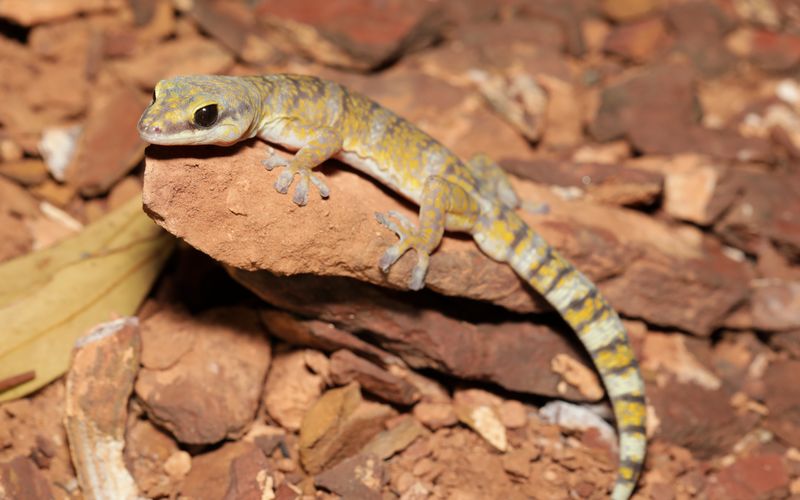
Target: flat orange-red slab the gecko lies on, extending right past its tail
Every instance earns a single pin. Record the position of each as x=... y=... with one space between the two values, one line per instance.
x=189 y=190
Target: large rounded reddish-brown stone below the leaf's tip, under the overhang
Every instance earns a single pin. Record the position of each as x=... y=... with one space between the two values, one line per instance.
x=203 y=400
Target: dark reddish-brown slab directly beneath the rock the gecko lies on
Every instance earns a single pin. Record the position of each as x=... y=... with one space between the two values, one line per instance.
x=516 y=355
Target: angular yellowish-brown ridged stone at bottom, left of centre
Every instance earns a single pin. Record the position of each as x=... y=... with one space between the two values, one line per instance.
x=338 y=425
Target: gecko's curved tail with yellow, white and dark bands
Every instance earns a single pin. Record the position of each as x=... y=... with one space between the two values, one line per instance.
x=596 y=323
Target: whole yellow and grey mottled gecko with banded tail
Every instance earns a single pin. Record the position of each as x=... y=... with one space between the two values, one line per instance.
x=319 y=119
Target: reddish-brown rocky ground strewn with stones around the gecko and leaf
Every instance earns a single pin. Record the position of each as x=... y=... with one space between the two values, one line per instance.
x=272 y=359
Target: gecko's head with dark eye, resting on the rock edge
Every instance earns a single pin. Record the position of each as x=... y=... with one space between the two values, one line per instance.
x=199 y=109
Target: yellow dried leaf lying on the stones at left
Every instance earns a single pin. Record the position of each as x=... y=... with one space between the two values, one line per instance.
x=51 y=297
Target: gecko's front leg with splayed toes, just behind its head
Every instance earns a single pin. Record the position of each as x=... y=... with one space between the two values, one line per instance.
x=321 y=143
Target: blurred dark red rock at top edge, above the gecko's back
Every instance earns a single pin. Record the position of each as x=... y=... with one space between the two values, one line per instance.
x=355 y=34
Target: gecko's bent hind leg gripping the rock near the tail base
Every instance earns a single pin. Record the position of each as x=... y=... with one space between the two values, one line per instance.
x=443 y=205
